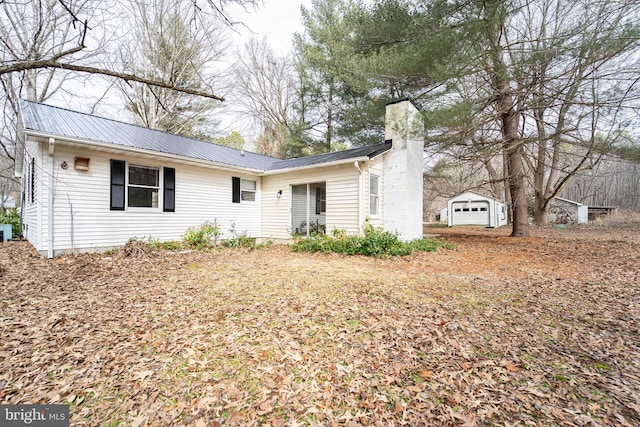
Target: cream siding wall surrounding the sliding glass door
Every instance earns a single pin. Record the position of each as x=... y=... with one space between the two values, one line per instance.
x=342 y=195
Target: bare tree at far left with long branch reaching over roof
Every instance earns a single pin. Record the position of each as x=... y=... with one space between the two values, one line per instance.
x=46 y=42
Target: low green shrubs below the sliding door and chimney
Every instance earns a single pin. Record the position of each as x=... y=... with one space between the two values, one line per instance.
x=375 y=242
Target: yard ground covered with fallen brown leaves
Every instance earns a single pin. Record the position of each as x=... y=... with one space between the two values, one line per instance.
x=500 y=331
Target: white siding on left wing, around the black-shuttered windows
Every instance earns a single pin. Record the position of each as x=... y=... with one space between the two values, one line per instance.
x=83 y=219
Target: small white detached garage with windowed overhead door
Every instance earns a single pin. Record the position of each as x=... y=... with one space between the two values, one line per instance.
x=475 y=209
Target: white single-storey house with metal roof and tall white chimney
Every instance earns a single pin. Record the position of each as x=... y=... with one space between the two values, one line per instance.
x=90 y=184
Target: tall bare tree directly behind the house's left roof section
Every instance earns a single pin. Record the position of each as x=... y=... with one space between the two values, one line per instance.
x=169 y=44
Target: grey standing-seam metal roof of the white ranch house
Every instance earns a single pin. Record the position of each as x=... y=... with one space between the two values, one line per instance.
x=58 y=121
